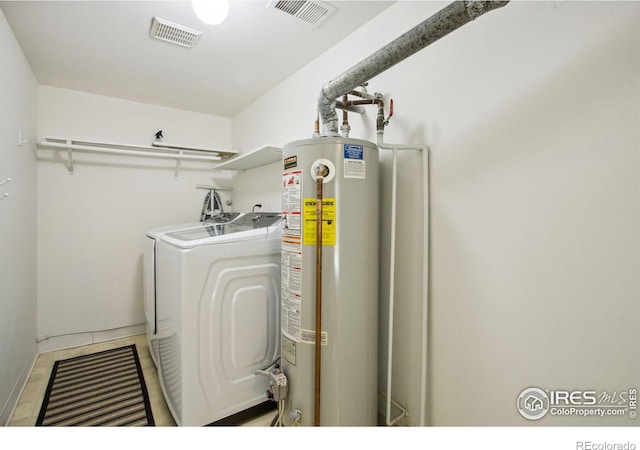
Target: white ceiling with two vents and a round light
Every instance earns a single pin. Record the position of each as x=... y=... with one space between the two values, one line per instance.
x=104 y=47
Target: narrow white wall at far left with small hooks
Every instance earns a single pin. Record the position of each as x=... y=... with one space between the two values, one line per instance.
x=18 y=94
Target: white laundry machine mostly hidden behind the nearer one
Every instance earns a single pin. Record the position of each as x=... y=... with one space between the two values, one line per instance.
x=149 y=270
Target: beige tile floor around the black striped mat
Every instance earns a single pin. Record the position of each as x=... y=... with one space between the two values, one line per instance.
x=28 y=408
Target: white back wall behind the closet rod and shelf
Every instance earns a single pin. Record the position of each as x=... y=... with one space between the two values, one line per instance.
x=92 y=222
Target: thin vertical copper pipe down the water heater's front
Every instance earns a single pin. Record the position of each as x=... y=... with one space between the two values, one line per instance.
x=318 y=343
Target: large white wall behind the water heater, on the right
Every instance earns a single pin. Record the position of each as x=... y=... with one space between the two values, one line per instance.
x=532 y=116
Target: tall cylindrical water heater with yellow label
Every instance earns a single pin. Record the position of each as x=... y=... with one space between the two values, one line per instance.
x=348 y=270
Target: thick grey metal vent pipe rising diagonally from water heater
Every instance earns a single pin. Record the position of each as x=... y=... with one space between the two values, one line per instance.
x=439 y=25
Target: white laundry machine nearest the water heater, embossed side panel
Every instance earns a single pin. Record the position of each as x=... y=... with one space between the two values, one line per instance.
x=218 y=316
